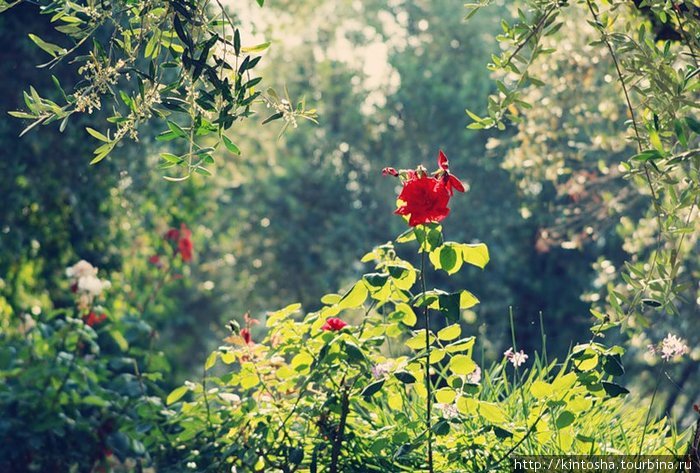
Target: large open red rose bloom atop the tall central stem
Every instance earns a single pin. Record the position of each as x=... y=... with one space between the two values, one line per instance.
x=424 y=199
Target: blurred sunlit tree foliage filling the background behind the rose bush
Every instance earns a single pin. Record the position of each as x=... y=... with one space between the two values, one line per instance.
x=569 y=217
